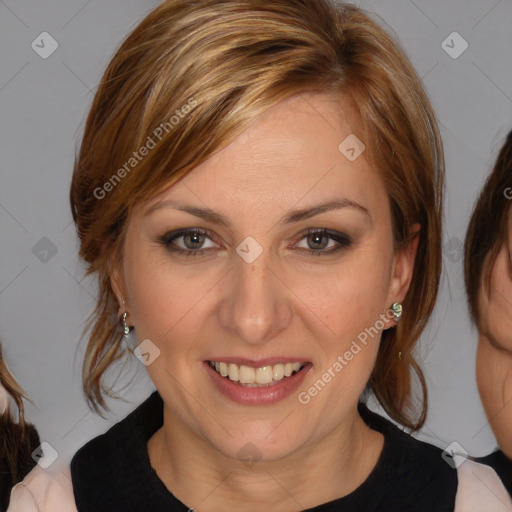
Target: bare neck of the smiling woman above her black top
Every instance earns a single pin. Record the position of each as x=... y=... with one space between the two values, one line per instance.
x=205 y=479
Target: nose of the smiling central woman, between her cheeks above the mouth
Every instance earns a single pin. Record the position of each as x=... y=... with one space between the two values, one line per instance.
x=257 y=304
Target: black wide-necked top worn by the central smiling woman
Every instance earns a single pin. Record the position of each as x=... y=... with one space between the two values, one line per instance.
x=112 y=472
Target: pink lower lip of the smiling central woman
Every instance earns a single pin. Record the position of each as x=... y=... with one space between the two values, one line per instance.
x=257 y=395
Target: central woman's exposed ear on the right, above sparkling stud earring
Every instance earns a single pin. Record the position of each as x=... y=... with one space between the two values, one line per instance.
x=403 y=267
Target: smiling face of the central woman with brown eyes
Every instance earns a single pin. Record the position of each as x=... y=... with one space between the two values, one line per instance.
x=274 y=254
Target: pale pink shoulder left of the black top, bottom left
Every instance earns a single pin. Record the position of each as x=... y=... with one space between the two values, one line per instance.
x=44 y=490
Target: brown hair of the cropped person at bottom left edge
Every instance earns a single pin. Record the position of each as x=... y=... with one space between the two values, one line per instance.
x=18 y=439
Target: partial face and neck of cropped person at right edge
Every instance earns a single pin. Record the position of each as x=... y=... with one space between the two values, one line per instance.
x=494 y=355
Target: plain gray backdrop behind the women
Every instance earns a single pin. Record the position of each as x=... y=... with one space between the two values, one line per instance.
x=44 y=299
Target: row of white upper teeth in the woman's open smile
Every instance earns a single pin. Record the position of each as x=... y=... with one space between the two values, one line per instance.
x=263 y=376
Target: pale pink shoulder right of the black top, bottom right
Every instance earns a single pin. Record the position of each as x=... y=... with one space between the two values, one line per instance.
x=480 y=488
